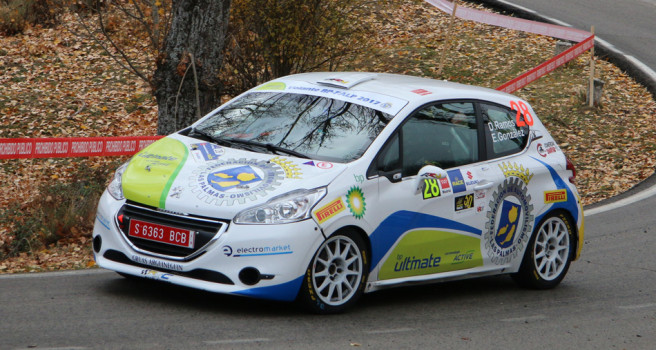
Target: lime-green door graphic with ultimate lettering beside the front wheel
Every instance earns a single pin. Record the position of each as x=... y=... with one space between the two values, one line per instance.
x=425 y=252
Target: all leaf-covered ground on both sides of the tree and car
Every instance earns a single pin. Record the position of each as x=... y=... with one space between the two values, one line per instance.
x=56 y=85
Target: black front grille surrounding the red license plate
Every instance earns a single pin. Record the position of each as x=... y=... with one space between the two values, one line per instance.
x=205 y=230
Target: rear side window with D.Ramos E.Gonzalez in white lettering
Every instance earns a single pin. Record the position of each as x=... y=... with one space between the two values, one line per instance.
x=503 y=135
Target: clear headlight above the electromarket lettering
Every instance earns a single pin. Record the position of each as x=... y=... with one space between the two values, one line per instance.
x=290 y=207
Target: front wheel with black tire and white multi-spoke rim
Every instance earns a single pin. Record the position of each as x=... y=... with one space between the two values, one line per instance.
x=337 y=274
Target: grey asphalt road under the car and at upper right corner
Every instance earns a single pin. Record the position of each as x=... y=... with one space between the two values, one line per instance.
x=607 y=301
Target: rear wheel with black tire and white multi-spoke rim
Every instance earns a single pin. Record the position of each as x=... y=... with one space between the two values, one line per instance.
x=549 y=253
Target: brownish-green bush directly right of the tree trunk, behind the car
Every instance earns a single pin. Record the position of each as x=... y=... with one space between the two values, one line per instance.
x=273 y=38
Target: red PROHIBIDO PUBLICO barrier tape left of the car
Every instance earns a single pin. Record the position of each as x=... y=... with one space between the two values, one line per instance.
x=73 y=146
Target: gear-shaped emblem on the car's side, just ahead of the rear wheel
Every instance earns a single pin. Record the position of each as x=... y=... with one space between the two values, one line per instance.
x=510 y=221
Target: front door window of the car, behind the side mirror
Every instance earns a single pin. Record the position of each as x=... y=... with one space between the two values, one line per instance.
x=444 y=135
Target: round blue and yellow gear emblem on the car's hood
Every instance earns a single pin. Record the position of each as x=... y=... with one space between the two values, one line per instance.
x=235 y=180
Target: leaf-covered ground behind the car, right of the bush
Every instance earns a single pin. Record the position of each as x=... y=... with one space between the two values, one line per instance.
x=613 y=145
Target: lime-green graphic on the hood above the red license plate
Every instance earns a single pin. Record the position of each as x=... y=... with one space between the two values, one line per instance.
x=151 y=172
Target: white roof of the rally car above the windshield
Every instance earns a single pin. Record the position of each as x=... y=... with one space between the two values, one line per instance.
x=415 y=90
